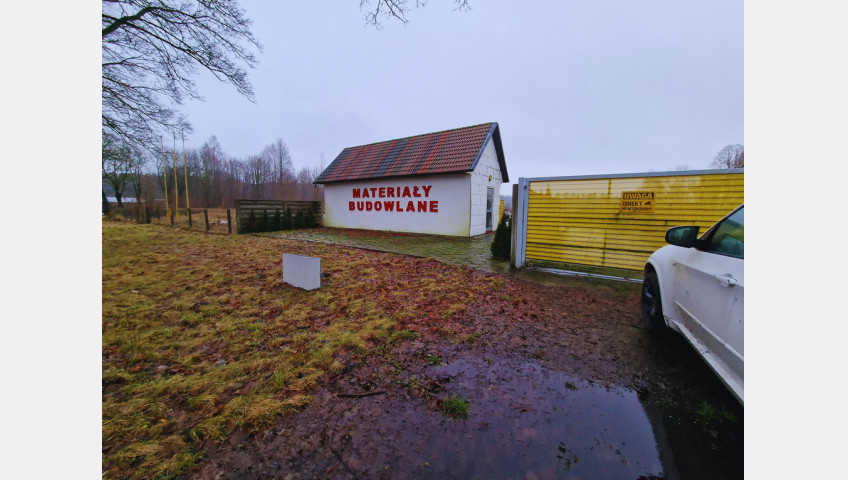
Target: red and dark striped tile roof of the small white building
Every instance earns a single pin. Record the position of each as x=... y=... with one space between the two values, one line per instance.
x=449 y=151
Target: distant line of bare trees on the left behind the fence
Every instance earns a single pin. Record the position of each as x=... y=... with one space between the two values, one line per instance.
x=215 y=179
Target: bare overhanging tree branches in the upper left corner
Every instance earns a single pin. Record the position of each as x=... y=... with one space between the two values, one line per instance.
x=152 y=49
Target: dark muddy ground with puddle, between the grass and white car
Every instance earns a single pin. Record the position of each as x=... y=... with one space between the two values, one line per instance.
x=561 y=382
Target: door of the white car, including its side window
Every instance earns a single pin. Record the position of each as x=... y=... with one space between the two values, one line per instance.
x=709 y=290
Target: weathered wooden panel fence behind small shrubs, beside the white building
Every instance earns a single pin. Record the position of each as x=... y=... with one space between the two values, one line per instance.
x=268 y=212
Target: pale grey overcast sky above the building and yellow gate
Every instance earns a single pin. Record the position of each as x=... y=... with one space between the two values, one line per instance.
x=577 y=86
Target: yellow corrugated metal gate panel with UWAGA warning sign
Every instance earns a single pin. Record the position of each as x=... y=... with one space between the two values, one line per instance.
x=614 y=222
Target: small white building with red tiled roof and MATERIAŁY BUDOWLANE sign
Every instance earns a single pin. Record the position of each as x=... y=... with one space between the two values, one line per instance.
x=445 y=183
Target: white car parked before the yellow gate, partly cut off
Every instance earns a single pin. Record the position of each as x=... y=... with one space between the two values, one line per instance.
x=696 y=286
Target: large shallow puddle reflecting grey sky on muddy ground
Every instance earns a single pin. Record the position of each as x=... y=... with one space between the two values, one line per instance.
x=534 y=423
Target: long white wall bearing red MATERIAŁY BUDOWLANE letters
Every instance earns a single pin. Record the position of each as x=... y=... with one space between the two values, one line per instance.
x=452 y=194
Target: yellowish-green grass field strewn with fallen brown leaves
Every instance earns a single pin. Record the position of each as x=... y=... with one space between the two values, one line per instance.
x=200 y=336
